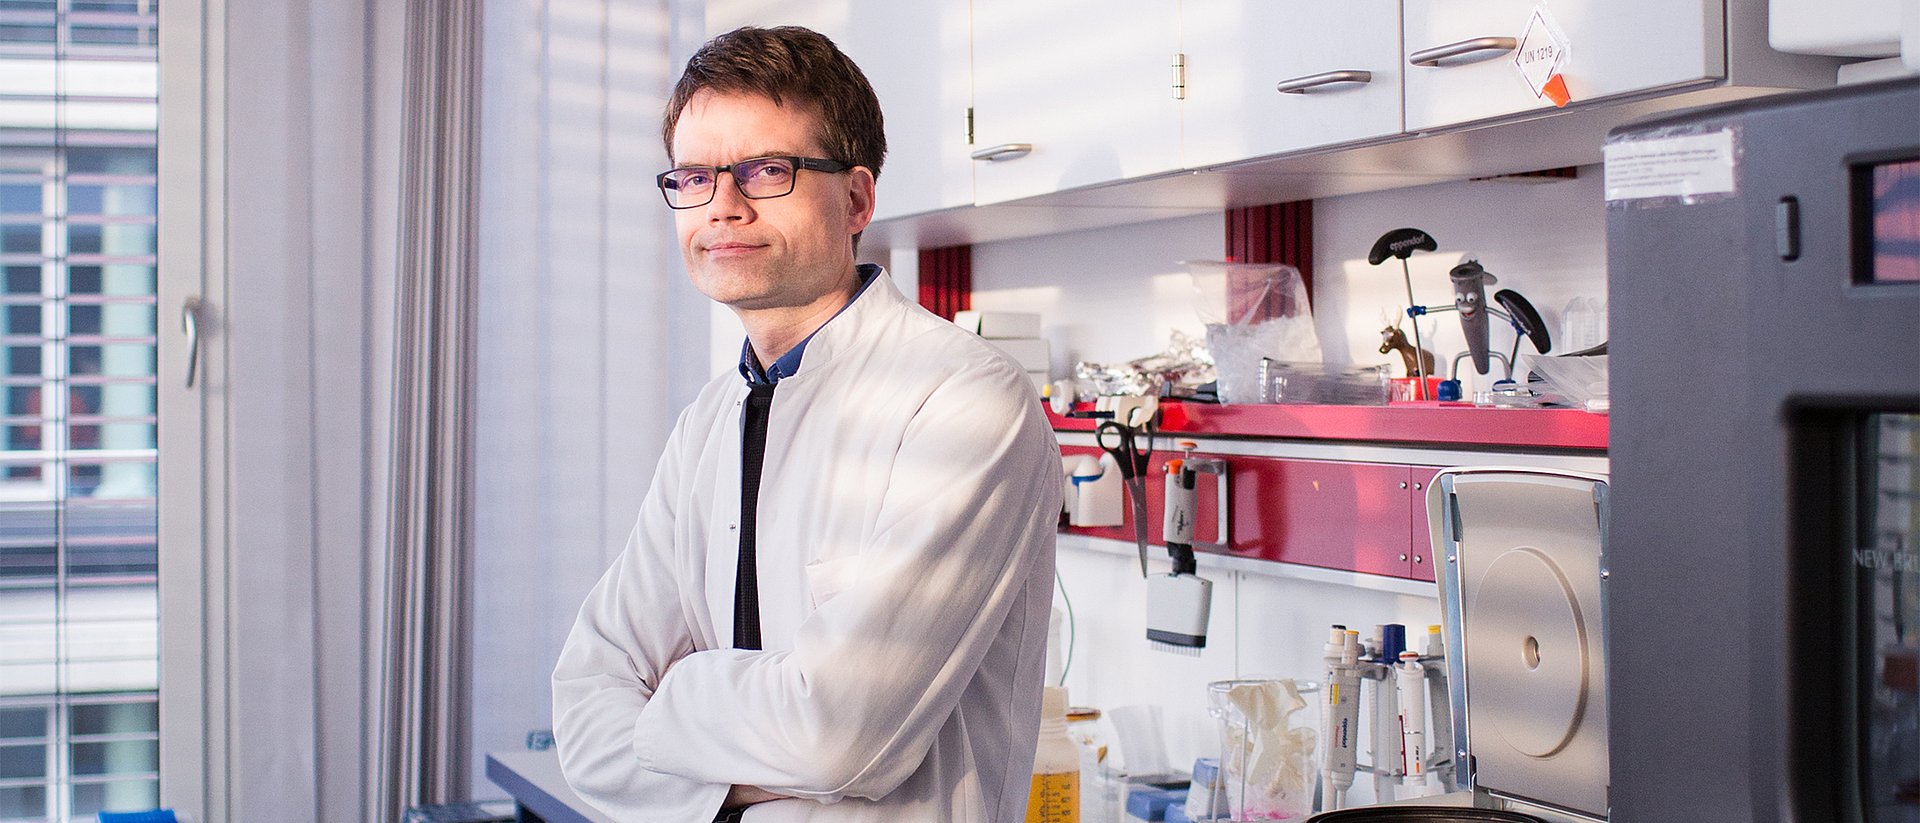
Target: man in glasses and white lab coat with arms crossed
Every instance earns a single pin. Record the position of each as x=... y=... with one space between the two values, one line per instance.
x=859 y=632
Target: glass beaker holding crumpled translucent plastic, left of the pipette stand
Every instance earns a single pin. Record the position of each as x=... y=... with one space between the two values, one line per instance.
x=1268 y=749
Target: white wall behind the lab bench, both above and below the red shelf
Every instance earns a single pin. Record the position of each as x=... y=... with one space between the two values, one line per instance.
x=1115 y=294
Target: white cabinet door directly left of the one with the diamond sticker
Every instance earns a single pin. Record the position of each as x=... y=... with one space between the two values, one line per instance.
x=1341 y=64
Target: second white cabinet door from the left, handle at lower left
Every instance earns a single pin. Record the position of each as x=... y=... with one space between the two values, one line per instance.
x=1072 y=93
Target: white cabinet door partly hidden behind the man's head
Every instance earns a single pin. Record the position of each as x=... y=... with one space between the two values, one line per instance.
x=917 y=57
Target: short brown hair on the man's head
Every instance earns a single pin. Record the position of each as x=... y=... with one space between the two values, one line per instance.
x=798 y=68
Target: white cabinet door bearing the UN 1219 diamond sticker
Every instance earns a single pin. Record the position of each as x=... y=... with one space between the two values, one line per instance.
x=1614 y=47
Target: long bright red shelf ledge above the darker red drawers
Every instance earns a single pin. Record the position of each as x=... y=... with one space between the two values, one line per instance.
x=1403 y=423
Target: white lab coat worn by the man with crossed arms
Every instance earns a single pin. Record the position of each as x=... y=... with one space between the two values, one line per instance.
x=905 y=559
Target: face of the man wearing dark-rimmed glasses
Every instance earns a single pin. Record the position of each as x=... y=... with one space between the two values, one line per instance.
x=779 y=252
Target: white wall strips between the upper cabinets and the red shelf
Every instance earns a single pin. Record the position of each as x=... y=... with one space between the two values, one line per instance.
x=1115 y=294
